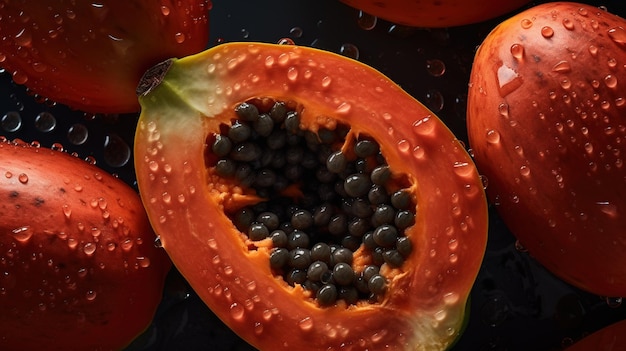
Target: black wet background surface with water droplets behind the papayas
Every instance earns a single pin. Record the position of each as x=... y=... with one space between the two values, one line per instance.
x=515 y=304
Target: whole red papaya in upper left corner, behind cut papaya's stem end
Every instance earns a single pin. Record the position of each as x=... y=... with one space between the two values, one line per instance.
x=91 y=55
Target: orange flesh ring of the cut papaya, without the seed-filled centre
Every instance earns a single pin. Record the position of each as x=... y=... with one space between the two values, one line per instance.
x=424 y=308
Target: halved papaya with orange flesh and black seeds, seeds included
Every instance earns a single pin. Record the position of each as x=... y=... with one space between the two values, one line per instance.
x=356 y=220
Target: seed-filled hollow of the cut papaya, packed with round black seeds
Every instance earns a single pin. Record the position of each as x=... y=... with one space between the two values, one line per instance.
x=332 y=209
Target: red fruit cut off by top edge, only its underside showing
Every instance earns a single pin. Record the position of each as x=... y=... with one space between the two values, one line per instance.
x=443 y=13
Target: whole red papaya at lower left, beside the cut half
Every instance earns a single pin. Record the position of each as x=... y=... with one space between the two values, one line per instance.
x=78 y=265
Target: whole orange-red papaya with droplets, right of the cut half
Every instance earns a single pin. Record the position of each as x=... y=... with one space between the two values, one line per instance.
x=546 y=122
